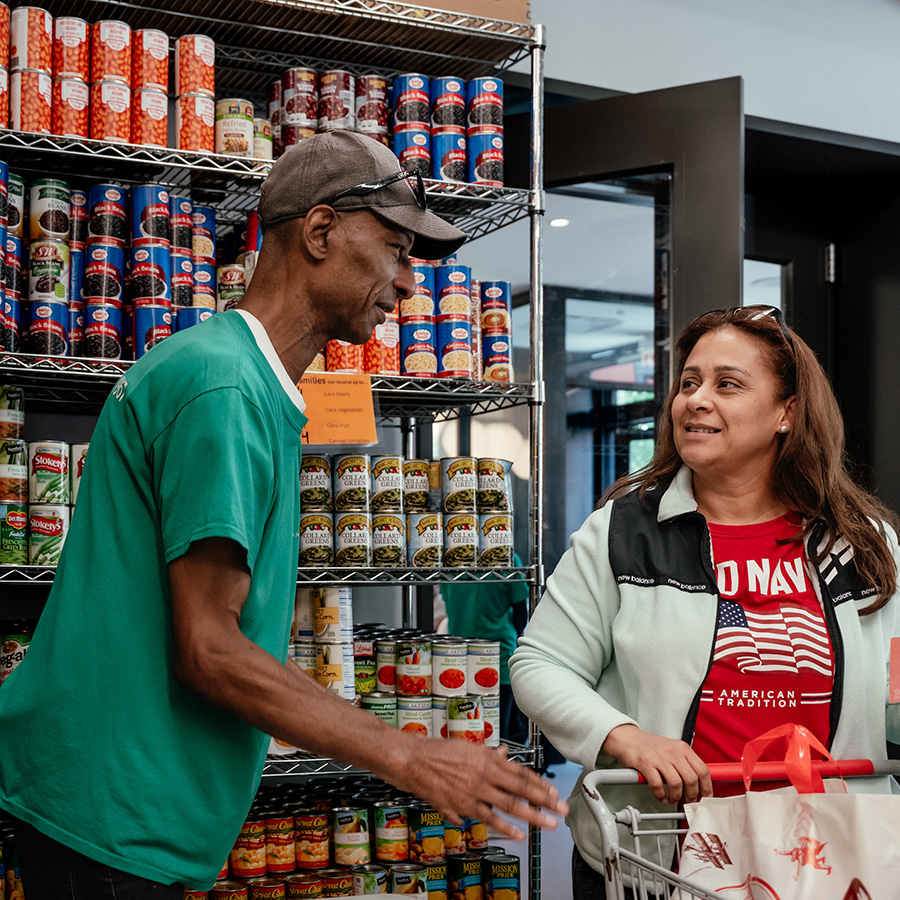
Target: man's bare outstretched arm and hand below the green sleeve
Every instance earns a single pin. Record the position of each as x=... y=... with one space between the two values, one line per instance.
x=212 y=658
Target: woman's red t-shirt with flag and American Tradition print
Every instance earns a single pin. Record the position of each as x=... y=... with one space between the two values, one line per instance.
x=773 y=662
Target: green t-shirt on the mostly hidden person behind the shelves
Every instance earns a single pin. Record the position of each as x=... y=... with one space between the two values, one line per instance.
x=484 y=610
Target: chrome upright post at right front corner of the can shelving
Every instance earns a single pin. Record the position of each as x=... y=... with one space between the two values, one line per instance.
x=538 y=45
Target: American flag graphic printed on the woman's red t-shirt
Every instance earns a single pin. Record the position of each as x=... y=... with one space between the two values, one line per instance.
x=788 y=639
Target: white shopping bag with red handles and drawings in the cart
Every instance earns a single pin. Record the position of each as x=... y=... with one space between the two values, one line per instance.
x=804 y=842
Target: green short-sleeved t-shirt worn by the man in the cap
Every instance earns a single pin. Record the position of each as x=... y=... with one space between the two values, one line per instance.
x=101 y=748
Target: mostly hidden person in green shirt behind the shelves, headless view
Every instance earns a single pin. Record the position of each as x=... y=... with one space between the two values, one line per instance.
x=495 y=611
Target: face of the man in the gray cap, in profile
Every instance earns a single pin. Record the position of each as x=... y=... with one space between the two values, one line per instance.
x=373 y=271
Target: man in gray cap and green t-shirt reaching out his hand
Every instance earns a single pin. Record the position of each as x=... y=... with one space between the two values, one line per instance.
x=135 y=731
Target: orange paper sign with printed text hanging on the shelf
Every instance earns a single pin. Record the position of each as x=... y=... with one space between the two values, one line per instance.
x=339 y=408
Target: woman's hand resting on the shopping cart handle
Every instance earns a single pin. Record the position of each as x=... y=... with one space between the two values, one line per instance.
x=672 y=769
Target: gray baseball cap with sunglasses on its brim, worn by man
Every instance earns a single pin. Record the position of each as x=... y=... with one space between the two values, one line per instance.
x=350 y=171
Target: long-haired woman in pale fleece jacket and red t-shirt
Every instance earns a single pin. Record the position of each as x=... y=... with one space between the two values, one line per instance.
x=740 y=581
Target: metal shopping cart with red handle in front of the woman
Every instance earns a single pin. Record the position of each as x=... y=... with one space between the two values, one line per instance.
x=652 y=831
